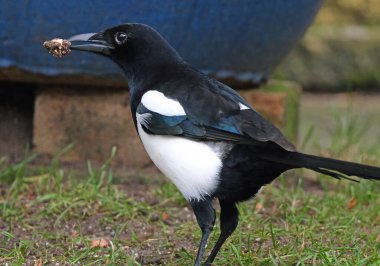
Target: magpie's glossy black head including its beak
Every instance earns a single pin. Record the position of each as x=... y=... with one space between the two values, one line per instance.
x=132 y=46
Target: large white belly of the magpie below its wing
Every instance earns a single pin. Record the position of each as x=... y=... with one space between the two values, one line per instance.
x=192 y=166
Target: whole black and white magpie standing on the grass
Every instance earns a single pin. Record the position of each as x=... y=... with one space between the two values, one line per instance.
x=201 y=133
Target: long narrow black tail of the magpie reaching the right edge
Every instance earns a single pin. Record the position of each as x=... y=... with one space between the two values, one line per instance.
x=332 y=167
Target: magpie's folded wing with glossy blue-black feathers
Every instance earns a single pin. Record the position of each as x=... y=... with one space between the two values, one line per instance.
x=212 y=116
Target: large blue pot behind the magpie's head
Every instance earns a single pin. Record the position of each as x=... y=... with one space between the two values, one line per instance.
x=240 y=39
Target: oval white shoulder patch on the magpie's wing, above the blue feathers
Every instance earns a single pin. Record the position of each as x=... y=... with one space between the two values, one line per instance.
x=157 y=102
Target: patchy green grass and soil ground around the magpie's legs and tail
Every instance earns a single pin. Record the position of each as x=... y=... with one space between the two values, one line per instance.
x=54 y=216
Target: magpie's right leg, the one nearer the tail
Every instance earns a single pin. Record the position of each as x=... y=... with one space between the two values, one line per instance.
x=229 y=217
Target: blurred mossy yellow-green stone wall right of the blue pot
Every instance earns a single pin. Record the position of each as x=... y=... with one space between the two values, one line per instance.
x=340 y=52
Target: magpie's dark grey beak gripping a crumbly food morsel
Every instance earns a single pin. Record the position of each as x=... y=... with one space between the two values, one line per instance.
x=90 y=42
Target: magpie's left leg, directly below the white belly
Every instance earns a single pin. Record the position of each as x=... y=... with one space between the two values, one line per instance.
x=205 y=214
